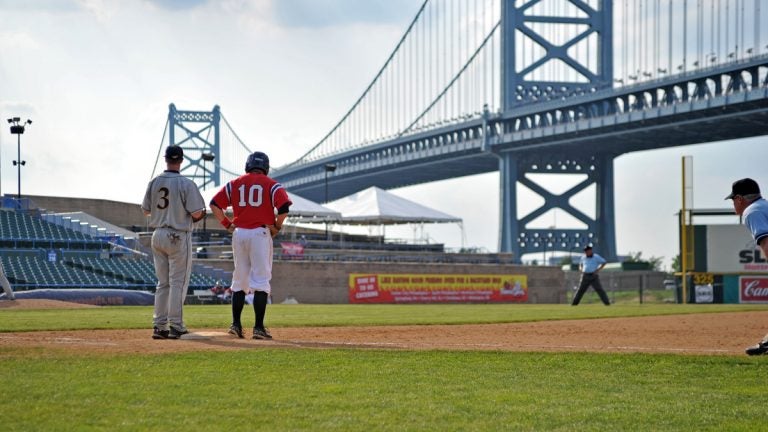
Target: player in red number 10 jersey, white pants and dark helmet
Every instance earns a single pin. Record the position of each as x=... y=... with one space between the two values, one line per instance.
x=254 y=197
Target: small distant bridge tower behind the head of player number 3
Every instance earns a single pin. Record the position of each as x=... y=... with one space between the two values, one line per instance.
x=199 y=136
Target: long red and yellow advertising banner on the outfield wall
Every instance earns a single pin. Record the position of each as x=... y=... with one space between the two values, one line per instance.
x=437 y=288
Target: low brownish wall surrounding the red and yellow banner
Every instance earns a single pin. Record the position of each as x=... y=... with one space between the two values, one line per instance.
x=326 y=282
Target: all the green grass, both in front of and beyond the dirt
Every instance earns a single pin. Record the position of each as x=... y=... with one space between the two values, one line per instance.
x=370 y=389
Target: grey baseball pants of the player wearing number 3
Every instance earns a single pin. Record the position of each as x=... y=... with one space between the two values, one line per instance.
x=172 y=252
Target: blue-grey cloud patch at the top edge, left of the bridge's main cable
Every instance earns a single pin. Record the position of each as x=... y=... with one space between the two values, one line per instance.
x=329 y=13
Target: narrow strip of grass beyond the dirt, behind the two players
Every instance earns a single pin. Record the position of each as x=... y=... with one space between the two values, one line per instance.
x=212 y=316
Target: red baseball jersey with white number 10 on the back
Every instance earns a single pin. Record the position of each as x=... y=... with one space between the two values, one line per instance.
x=254 y=198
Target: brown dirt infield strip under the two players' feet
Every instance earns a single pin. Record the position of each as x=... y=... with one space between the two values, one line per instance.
x=707 y=334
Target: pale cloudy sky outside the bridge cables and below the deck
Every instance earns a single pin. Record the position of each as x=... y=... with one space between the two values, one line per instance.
x=97 y=76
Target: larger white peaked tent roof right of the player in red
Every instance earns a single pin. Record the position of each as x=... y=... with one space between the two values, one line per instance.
x=377 y=206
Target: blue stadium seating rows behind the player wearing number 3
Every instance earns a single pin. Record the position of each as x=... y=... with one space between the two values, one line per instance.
x=39 y=254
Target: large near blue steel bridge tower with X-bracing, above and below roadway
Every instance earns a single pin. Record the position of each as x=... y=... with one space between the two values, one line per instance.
x=547 y=53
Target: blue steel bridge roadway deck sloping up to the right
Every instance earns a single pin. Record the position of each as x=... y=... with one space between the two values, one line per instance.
x=708 y=105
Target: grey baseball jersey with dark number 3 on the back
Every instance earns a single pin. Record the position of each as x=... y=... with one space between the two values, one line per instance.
x=170 y=199
